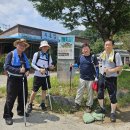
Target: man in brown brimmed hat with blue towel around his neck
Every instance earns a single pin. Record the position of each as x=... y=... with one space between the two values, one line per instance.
x=17 y=67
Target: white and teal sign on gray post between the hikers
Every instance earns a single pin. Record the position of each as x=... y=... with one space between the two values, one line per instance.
x=65 y=57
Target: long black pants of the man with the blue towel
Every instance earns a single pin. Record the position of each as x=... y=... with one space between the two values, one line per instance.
x=15 y=90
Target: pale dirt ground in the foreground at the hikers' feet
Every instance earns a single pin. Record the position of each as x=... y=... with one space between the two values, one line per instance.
x=39 y=120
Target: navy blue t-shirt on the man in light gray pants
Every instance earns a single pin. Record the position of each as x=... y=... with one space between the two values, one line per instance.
x=87 y=67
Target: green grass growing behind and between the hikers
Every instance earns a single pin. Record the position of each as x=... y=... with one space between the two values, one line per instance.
x=63 y=89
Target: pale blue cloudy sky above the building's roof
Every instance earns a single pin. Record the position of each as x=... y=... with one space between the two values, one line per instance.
x=14 y=12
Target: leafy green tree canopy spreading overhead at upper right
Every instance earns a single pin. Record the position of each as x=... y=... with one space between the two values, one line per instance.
x=106 y=16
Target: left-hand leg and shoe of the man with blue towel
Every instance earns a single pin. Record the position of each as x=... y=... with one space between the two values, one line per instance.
x=10 y=99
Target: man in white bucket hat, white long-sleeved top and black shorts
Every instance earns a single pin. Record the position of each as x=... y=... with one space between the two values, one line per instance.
x=42 y=63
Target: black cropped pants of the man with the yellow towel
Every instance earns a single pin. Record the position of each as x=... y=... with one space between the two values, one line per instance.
x=109 y=83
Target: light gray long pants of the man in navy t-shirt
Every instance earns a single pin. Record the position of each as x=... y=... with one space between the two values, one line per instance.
x=80 y=92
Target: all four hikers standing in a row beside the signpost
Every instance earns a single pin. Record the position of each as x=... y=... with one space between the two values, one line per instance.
x=17 y=66
